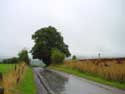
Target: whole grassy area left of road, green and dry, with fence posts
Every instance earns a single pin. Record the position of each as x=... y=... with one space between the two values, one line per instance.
x=17 y=79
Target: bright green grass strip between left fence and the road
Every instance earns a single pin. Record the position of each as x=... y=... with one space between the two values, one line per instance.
x=27 y=84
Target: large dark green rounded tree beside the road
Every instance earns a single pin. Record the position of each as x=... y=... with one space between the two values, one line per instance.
x=45 y=40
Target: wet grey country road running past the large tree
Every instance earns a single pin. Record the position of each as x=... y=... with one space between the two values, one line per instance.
x=69 y=84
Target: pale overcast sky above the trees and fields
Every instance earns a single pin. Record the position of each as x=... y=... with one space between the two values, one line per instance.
x=88 y=26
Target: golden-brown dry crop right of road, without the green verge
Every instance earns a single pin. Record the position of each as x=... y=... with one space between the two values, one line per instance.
x=109 y=69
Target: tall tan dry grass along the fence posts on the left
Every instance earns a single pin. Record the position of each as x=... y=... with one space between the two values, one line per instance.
x=12 y=79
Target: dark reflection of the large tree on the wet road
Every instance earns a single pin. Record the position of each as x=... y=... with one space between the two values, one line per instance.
x=55 y=81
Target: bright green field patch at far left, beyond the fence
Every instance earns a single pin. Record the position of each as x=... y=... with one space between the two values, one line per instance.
x=4 y=68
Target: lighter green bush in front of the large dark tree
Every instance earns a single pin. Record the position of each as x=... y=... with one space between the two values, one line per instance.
x=57 y=56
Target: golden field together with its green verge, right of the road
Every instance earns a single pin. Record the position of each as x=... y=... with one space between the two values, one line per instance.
x=106 y=71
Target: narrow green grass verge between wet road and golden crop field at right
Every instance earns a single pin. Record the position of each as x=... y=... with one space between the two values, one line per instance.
x=88 y=76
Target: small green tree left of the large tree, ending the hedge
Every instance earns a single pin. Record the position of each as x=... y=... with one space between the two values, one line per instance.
x=23 y=56
